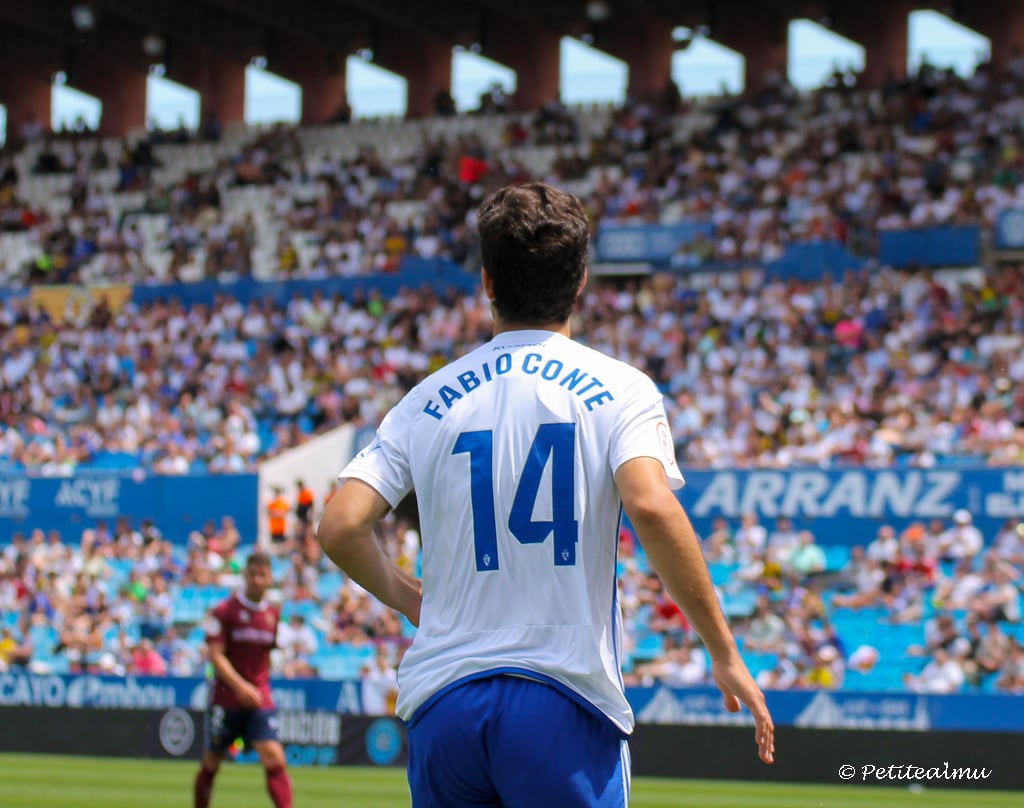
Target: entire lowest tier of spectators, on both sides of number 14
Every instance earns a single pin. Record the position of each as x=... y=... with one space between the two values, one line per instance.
x=935 y=605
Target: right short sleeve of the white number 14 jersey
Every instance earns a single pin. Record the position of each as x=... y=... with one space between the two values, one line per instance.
x=643 y=431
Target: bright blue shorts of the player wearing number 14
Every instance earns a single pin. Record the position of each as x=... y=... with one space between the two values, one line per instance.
x=514 y=743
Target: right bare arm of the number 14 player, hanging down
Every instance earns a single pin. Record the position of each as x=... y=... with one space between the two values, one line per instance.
x=675 y=555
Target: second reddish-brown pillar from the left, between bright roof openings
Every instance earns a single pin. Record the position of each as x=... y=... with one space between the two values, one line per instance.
x=120 y=90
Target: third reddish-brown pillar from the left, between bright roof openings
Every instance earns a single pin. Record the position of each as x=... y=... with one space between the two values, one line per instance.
x=220 y=81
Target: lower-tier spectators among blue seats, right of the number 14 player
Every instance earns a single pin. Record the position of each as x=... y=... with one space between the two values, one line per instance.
x=934 y=606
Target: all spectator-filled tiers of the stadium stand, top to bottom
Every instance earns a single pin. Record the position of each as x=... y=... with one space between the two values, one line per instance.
x=873 y=366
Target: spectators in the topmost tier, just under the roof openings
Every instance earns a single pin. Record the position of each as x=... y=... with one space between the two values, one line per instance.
x=767 y=171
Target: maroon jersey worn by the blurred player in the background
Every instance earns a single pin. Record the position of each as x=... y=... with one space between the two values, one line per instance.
x=249 y=632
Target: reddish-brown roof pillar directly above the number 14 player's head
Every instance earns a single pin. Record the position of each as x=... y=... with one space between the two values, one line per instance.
x=534 y=53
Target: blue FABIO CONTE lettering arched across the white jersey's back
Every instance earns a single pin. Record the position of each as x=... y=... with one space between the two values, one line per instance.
x=588 y=388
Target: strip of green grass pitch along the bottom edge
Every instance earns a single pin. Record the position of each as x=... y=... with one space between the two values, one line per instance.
x=40 y=782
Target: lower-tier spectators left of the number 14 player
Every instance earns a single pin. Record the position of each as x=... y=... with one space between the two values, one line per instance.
x=111 y=603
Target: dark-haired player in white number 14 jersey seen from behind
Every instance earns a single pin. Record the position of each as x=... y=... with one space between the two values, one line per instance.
x=523 y=455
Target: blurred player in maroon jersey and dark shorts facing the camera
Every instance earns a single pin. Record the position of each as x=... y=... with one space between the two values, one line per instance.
x=241 y=632
